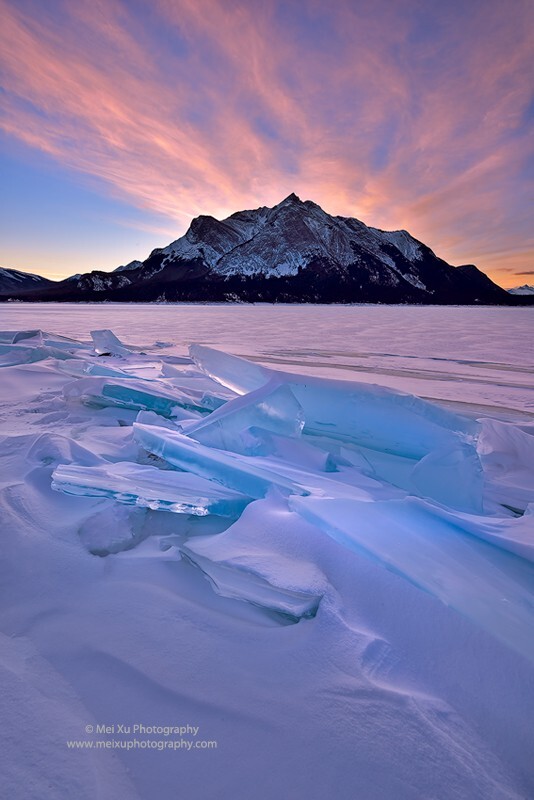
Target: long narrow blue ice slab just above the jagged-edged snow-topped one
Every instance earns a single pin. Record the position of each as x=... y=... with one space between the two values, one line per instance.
x=218 y=465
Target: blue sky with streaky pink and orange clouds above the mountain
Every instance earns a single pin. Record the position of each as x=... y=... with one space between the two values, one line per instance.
x=121 y=120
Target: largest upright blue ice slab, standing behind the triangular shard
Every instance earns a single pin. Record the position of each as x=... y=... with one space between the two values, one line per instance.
x=371 y=416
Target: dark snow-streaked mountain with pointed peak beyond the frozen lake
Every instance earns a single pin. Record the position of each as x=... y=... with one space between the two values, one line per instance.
x=294 y=253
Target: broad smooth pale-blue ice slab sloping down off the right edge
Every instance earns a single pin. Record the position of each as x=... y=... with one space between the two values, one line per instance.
x=486 y=584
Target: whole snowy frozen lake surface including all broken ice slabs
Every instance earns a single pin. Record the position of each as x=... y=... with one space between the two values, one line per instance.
x=319 y=557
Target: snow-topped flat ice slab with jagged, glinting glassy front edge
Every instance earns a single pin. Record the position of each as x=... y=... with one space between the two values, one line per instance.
x=145 y=486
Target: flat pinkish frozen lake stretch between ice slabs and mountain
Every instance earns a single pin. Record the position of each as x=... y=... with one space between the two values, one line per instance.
x=481 y=358
